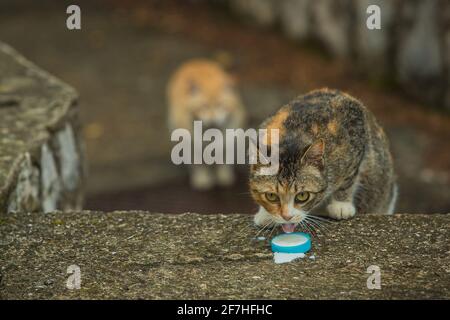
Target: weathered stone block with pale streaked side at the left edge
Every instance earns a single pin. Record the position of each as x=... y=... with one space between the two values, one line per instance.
x=41 y=158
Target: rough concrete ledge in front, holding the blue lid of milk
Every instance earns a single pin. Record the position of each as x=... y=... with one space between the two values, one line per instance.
x=143 y=255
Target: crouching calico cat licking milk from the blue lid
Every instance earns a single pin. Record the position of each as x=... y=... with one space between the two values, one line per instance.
x=333 y=153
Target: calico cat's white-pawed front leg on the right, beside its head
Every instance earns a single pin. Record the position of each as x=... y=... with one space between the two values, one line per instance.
x=341 y=206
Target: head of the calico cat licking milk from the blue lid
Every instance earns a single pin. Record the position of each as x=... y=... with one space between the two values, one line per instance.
x=299 y=185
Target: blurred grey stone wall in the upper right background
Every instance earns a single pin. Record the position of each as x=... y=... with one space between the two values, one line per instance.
x=412 y=46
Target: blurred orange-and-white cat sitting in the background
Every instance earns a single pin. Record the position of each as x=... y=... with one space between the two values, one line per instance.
x=202 y=90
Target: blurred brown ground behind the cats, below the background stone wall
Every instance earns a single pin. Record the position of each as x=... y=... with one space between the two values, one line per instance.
x=120 y=62
